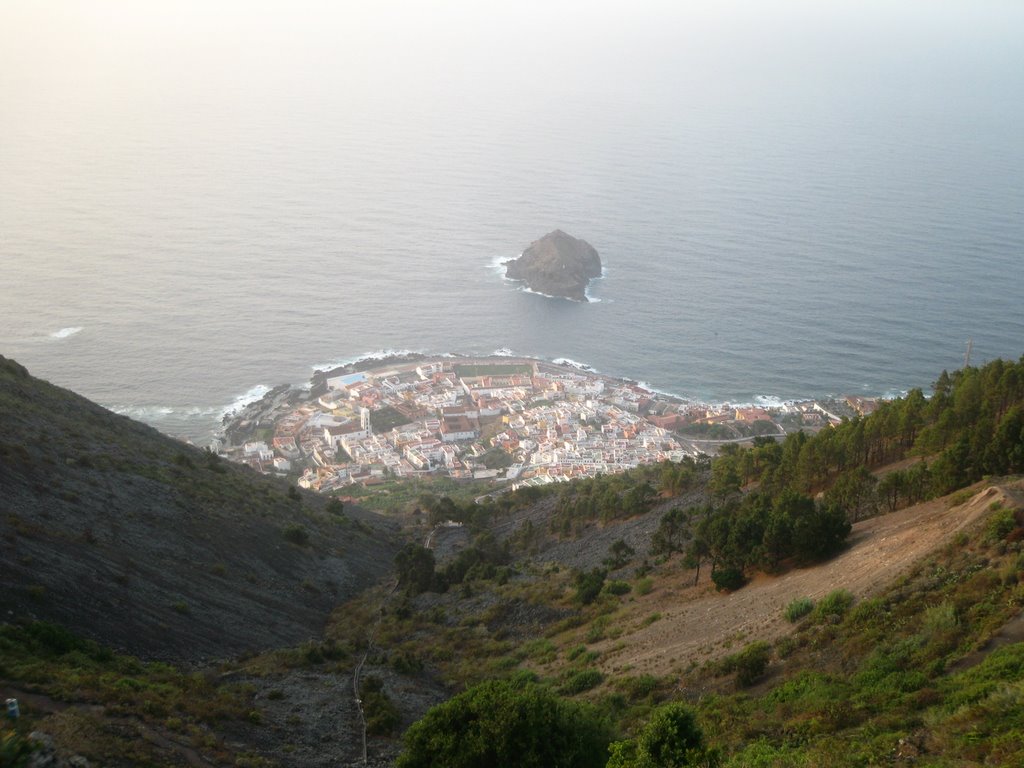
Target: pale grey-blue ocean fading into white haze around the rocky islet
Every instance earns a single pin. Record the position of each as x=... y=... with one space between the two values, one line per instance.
x=815 y=202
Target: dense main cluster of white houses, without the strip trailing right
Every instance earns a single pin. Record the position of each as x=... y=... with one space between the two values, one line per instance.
x=443 y=417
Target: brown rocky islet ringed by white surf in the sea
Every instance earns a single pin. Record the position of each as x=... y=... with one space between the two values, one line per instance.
x=558 y=265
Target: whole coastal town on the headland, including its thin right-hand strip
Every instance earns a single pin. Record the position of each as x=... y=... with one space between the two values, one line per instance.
x=518 y=420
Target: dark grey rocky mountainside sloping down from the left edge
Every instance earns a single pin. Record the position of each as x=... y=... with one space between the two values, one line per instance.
x=153 y=546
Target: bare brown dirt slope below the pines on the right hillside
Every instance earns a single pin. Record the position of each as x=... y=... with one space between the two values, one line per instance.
x=698 y=623
